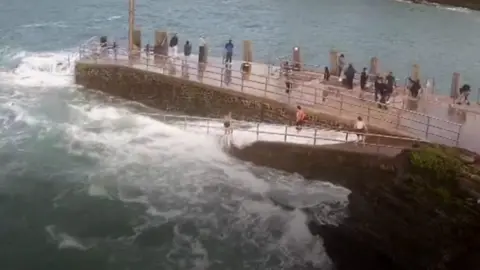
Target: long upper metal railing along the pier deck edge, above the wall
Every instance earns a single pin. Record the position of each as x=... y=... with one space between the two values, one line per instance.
x=319 y=97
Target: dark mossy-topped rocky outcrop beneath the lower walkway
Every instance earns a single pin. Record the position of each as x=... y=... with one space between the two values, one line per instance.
x=415 y=210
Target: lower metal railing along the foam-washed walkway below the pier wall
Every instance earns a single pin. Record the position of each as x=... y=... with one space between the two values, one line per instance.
x=210 y=124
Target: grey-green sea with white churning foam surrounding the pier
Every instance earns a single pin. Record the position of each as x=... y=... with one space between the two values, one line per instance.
x=91 y=182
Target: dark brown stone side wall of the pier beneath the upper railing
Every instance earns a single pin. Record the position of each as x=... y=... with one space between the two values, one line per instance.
x=173 y=94
